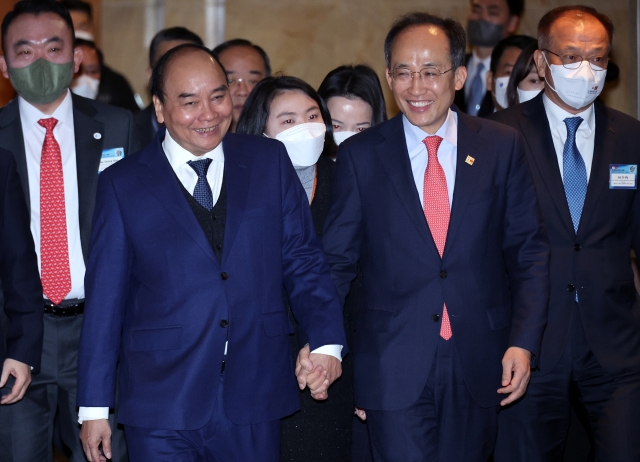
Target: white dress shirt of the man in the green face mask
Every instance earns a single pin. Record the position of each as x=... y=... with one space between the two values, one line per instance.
x=63 y=132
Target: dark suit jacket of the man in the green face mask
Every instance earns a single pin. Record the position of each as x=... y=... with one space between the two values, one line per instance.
x=115 y=127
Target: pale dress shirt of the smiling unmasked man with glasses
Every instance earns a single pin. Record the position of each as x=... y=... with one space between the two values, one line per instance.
x=447 y=152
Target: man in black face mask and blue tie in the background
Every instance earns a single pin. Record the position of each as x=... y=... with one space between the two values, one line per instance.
x=489 y=21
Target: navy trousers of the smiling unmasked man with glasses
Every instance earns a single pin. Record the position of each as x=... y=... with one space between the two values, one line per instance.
x=444 y=424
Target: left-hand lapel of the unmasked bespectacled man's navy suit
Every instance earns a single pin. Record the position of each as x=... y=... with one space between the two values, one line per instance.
x=394 y=157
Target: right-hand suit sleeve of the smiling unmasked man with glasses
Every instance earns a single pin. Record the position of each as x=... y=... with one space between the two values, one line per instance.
x=526 y=252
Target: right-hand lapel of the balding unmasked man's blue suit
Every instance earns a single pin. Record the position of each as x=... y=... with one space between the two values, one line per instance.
x=237 y=170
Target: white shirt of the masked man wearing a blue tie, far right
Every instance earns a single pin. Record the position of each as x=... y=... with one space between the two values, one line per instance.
x=585 y=136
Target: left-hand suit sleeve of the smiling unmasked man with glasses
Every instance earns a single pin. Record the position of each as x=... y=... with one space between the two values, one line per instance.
x=343 y=230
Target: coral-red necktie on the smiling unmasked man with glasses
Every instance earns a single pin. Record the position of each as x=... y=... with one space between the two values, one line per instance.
x=436 y=209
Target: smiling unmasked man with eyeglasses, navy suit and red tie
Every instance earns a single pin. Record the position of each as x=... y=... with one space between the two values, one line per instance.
x=439 y=210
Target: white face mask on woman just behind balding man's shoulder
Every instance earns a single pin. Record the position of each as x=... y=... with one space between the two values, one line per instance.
x=304 y=143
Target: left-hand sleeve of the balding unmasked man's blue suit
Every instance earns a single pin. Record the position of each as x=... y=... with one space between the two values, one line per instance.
x=106 y=287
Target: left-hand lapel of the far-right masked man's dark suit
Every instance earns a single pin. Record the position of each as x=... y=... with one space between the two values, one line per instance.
x=535 y=128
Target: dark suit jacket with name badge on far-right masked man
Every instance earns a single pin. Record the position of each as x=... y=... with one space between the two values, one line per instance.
x=596 y=261
